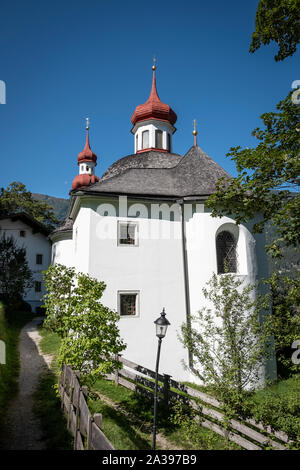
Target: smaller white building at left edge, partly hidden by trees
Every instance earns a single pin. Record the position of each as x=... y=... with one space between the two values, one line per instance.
x=33 y=236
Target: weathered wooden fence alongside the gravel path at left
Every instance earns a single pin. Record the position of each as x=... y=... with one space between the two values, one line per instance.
x=85 y=428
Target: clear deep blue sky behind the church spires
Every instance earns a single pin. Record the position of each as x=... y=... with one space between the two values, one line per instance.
x=65 y=60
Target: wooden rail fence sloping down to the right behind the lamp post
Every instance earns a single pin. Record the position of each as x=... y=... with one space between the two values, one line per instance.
x=248 y=434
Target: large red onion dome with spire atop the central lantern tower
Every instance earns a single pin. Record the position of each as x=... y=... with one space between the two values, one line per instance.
x=153 y=108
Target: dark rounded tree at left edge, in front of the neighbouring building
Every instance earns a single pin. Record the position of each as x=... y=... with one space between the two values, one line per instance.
x=15 y=275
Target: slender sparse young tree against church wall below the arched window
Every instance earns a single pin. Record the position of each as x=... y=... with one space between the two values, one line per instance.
x=228 y=340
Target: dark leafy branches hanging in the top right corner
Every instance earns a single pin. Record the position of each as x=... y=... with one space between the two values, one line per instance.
x=279 y=21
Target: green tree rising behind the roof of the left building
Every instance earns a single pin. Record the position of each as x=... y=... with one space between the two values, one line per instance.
x=15 y=198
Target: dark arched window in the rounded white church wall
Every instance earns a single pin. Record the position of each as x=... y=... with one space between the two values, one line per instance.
x=226 y=253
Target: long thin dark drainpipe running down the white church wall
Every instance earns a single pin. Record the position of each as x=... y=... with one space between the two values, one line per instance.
x=186 y=278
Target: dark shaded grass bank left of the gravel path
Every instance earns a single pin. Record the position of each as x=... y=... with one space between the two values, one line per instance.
x=9 y=372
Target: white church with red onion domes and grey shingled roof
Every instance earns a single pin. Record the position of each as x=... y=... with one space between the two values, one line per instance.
x=144 y=229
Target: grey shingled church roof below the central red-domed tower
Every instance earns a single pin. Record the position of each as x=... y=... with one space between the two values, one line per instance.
x=153 y=174
